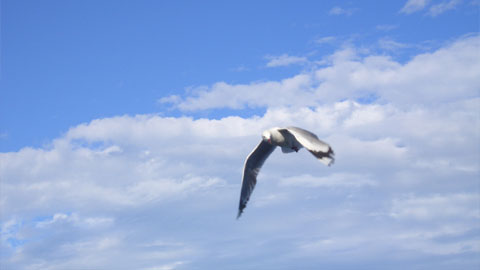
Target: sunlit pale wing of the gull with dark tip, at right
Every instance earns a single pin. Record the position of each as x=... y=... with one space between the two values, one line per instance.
x=310 y=141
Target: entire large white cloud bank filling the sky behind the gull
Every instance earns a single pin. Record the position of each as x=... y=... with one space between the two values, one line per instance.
x=158 y=192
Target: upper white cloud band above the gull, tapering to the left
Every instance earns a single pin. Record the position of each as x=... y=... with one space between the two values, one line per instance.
x=348 y=75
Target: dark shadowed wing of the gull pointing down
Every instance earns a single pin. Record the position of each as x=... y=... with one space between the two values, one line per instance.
x=252 y=166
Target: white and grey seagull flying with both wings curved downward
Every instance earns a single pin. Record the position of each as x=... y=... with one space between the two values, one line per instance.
x=290 y=139
